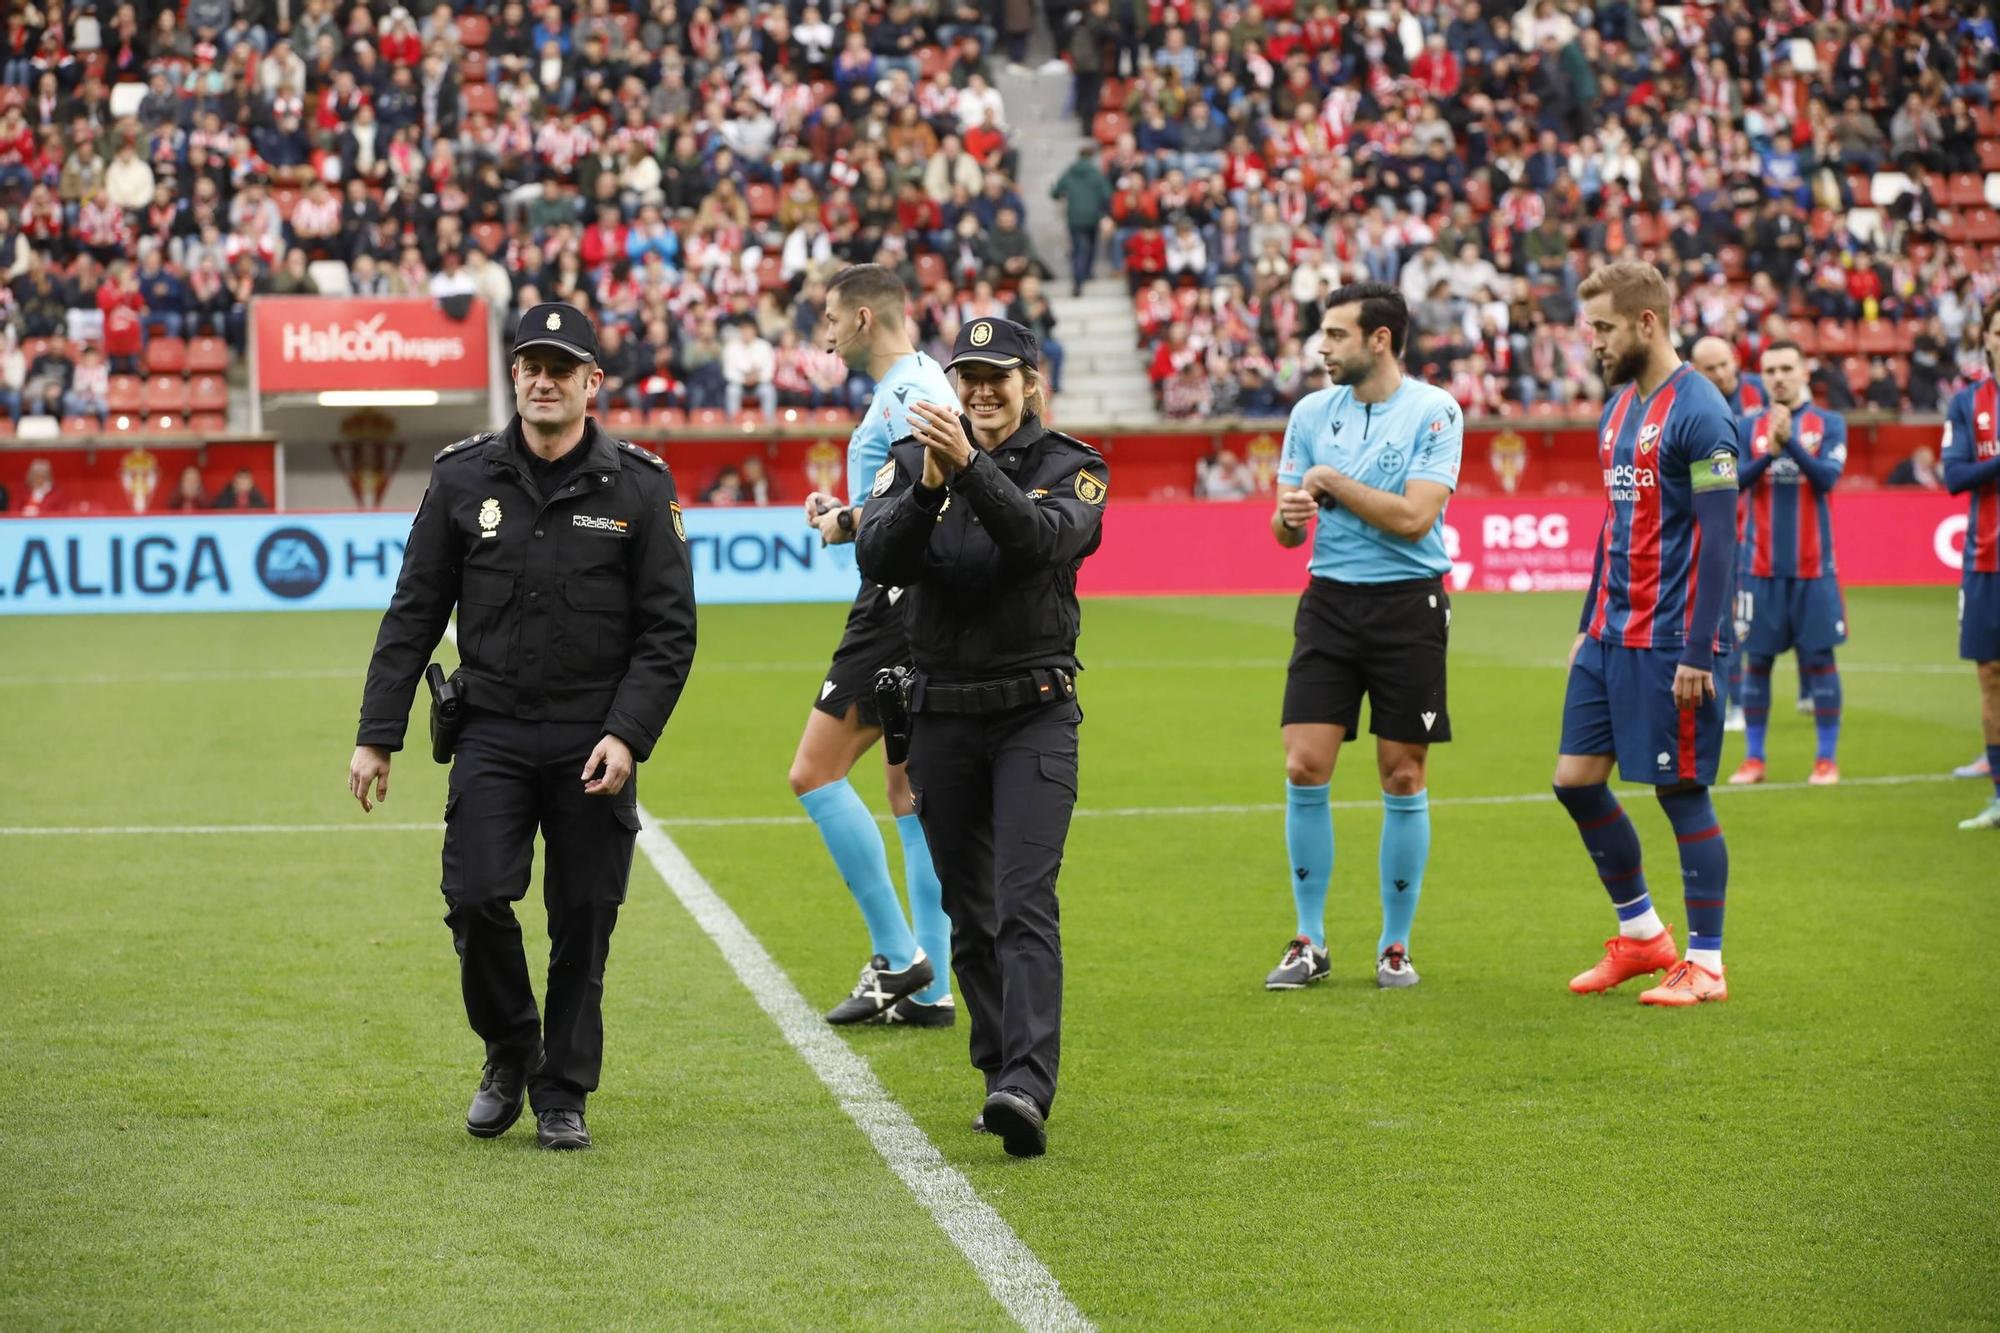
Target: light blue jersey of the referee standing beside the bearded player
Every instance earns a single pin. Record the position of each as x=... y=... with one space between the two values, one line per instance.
x=1415 y=435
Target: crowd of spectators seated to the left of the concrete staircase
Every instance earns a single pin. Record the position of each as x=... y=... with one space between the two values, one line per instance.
x=689 y=175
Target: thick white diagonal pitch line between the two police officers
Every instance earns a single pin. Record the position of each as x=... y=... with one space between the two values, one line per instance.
x=1023 y=1286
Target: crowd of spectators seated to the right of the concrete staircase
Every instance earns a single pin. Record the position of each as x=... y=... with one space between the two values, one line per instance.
x=1809 y=169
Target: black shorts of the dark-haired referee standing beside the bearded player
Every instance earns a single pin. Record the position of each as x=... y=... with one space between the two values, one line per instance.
x=1379 y=639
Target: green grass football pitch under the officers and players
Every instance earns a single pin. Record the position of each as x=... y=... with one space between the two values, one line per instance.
x=237 y=1062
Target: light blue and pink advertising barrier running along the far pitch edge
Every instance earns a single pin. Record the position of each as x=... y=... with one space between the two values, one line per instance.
x=769 y=555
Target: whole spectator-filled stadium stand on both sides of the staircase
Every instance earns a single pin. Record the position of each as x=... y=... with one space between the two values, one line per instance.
x=693 y=175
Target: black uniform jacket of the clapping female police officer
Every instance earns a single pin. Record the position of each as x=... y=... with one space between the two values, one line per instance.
x=989 y=561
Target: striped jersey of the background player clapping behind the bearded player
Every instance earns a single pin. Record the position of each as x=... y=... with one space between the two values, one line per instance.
x=1791 y=531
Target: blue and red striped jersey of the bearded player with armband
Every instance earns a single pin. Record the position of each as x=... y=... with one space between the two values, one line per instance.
x=1657 y=453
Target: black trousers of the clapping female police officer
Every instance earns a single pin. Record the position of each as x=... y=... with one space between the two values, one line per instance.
x=995 y=794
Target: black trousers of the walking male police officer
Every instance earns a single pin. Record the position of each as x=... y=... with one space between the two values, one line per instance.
x=509 y=780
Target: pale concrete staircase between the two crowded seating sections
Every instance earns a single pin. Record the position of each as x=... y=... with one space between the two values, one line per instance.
x=1105 y=375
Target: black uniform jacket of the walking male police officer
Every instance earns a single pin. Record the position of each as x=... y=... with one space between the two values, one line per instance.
x=571 y=609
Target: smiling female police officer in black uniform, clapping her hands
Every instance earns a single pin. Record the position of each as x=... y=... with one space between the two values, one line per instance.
x=983 y=521
